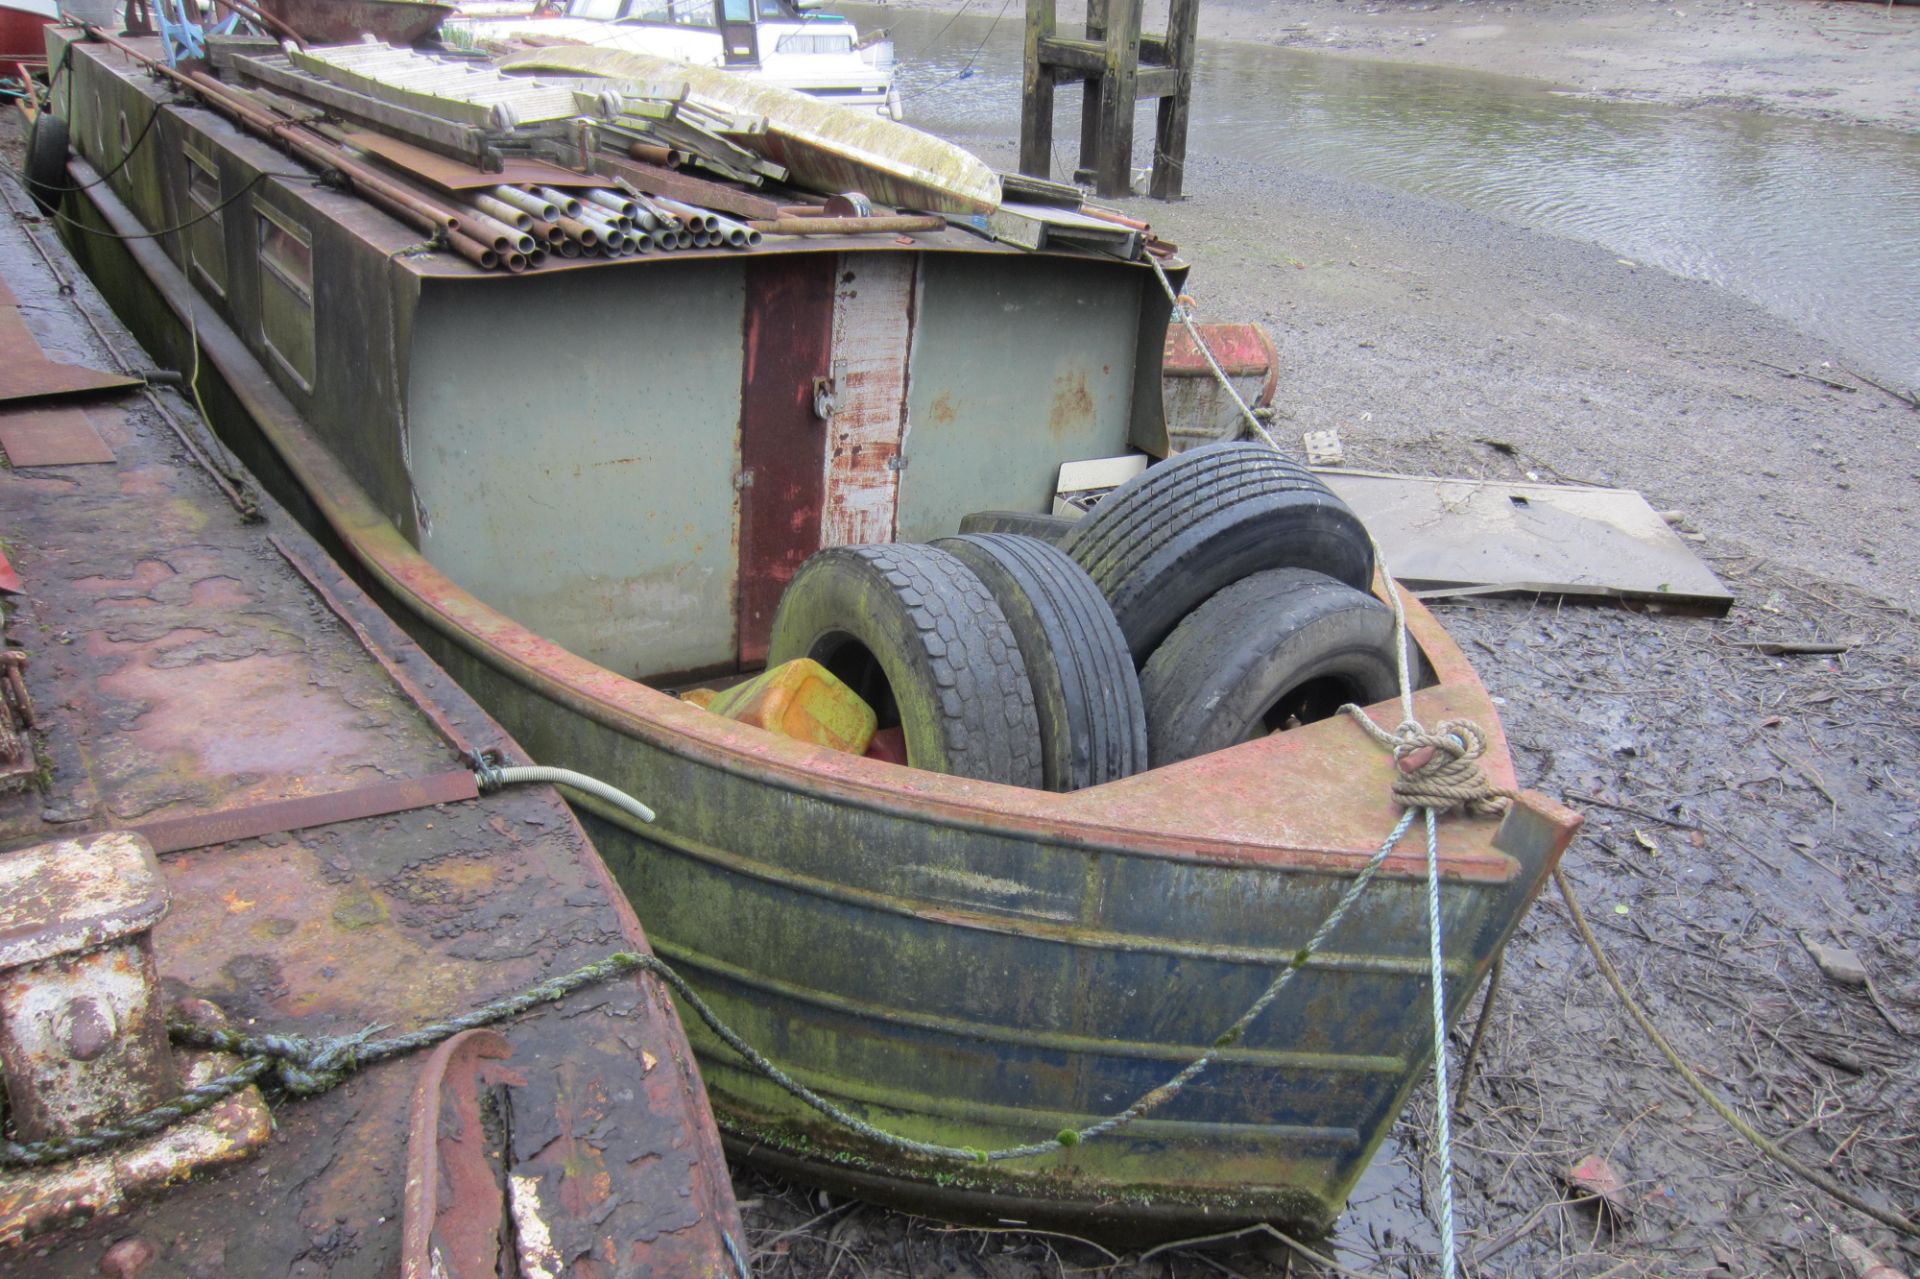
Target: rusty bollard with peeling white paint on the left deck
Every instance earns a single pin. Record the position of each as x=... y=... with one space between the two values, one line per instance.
x=84 y=1034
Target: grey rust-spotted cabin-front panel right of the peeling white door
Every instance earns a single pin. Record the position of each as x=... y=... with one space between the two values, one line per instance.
x=1019 y=366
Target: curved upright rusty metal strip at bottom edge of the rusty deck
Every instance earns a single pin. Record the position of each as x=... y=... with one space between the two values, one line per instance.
x=456 y=1207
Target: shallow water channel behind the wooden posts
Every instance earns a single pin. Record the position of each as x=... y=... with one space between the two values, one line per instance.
x=1817 y=224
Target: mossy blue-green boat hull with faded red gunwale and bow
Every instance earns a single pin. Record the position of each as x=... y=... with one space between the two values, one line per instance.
x=967 y=963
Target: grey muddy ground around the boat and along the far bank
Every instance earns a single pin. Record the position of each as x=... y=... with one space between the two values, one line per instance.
x=1739 y=802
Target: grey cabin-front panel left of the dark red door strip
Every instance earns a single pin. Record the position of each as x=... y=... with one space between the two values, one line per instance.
x=590 y=493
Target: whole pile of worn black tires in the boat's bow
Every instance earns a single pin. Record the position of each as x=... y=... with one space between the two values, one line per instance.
x=1207 y=602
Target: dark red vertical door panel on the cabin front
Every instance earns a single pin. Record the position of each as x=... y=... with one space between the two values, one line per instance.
x=782 y=445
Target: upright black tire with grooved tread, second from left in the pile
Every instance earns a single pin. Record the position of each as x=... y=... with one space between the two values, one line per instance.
x=1086 y=694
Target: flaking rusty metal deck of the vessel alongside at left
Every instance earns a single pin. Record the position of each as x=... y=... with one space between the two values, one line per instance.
x=203 y=675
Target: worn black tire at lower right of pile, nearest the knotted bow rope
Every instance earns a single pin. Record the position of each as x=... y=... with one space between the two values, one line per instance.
x=1270 y=650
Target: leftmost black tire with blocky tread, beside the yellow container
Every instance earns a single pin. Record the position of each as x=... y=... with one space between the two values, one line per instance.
x=915 y=633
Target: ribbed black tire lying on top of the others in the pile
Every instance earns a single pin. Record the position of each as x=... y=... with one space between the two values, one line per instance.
x=1168 y=539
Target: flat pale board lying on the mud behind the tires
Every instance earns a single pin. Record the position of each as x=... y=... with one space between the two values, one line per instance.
x=1443 y=535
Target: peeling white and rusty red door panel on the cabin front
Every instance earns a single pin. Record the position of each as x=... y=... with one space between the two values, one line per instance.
x=873 y=339
